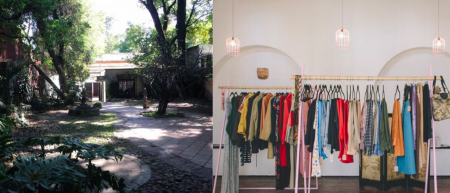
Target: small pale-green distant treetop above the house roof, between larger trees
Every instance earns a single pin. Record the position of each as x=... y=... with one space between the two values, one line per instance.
x=133 y=39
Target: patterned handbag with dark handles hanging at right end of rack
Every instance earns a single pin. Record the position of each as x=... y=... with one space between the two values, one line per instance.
x=441 y=102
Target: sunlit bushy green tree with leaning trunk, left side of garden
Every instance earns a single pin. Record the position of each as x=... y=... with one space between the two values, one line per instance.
x=65 y=35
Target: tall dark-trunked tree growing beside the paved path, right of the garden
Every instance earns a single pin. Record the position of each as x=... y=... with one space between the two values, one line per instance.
x=170 y=58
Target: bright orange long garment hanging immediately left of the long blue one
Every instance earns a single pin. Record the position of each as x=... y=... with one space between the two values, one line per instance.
x=397 y=131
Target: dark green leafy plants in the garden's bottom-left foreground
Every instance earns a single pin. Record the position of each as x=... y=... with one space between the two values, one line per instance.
x=30 y=173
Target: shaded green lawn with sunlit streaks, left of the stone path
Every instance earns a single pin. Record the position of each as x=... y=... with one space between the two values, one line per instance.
x=99 y=130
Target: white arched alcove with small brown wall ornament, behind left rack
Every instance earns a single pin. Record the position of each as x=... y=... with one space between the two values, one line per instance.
x=241 y=70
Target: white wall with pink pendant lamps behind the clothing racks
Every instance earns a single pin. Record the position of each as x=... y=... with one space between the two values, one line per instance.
x=388 y=38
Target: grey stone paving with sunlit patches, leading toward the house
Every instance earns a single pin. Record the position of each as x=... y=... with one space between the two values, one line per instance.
x=182 y=142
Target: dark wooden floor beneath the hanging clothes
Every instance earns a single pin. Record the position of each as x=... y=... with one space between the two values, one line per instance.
x=331 y=184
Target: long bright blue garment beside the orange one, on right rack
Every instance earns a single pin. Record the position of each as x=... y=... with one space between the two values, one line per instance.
x=406 y=163
